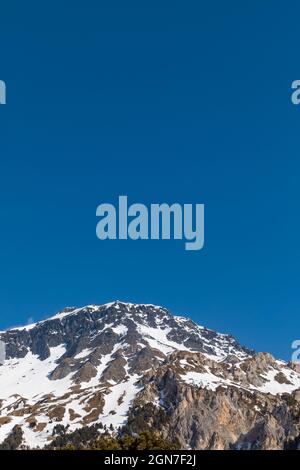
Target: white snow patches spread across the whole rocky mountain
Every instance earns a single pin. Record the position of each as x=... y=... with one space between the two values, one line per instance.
x=25 y=381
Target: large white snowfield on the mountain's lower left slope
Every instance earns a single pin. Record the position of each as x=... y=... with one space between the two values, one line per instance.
x=28 y=378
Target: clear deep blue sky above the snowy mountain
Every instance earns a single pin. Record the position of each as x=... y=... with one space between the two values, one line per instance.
x=165 y=102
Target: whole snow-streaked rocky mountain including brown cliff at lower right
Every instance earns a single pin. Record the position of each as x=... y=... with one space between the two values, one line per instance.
x=135 y=367
